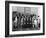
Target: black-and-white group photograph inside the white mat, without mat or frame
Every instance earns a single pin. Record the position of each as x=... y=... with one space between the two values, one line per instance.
x=25 y=18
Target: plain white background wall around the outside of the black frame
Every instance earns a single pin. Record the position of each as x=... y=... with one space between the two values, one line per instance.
x=2 y=19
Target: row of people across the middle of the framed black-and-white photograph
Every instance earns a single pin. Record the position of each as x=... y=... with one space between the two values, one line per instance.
x=23 y=20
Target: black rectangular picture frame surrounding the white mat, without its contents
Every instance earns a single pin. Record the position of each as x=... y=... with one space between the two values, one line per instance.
x=7 y=18
